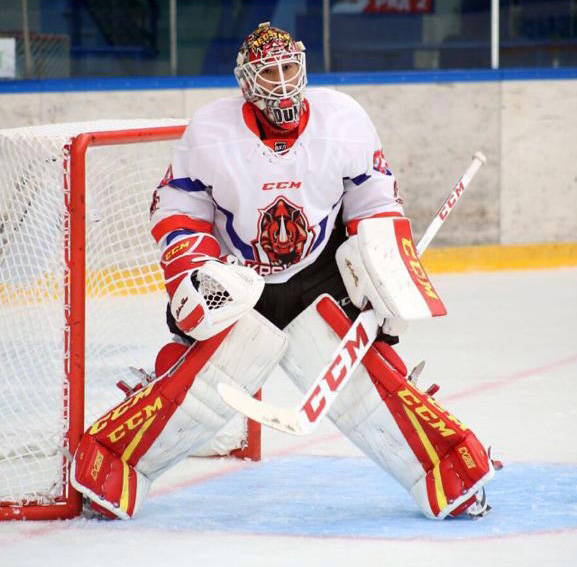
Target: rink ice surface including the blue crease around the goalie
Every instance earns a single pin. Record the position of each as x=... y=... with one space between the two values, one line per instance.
x=506 y=360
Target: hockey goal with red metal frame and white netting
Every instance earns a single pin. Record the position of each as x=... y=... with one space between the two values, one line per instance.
x=81 y=297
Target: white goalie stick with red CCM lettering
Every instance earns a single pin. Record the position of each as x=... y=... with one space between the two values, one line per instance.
x=303 y=419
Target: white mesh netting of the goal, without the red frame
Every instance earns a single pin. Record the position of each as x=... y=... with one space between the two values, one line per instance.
x=125 y=299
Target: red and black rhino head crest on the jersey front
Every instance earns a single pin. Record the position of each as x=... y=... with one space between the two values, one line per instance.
x=284 y=234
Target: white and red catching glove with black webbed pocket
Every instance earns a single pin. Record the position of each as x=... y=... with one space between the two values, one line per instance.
x=207 y=294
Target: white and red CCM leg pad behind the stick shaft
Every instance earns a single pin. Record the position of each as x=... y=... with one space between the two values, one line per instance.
x=425 y=448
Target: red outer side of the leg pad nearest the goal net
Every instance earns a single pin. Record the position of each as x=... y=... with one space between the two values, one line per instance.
x=104 y=464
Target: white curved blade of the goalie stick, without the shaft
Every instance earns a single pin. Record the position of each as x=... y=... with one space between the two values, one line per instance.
x=281 y=419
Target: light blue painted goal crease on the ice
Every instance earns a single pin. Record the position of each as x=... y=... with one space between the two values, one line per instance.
x=351 y=497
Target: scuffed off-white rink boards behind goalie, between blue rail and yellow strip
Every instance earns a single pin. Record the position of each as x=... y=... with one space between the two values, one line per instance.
x=526 y=194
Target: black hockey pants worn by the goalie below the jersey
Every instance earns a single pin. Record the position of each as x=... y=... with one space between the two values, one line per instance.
x=281 y=303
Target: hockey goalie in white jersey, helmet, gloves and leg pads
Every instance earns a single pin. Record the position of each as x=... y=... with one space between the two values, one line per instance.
x=278 y=221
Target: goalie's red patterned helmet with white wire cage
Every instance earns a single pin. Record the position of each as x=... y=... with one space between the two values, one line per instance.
x=271 y=73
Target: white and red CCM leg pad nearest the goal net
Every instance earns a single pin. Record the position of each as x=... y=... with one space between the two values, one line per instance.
x=162 y=423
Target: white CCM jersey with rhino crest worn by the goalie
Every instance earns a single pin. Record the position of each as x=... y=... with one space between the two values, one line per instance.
x=275 y=212
